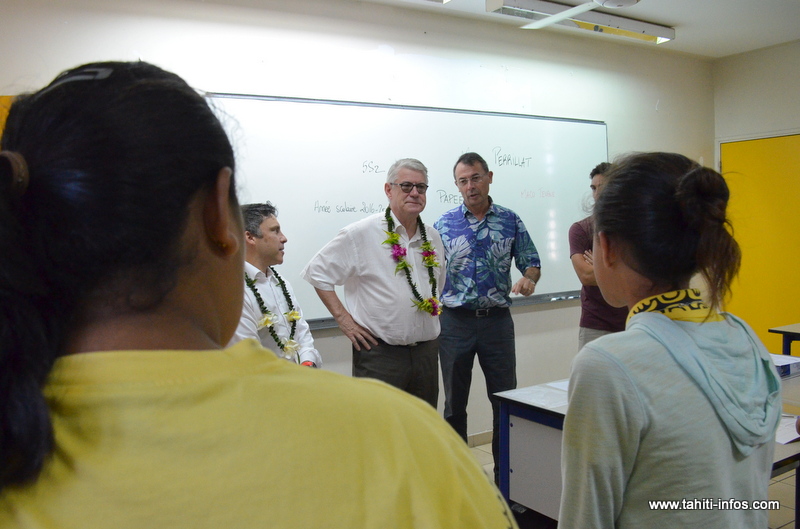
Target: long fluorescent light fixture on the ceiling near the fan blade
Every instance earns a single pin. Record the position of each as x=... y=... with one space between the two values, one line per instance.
x=542 y=10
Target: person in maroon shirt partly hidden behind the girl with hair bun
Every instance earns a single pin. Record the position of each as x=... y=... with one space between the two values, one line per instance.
x=597 y=316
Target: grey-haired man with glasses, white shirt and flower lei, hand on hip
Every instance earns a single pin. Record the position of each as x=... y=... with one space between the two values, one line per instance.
x=392 y=267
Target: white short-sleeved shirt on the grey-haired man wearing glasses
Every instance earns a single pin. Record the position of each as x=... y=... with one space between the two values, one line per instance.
x=377 y=298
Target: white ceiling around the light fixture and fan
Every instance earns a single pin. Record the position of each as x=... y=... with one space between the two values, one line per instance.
x=708 y=28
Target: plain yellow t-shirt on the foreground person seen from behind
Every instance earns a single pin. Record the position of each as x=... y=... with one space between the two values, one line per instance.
x=238 y=439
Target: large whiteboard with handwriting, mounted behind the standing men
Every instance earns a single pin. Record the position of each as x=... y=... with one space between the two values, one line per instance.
x=323 y=165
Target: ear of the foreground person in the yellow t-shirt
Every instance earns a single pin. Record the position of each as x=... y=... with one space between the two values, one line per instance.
x=220 y=217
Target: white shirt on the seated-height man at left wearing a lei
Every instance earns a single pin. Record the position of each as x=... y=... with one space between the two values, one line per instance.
x=274 y=300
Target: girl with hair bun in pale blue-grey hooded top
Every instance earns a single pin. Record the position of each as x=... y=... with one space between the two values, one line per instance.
x=683 y=405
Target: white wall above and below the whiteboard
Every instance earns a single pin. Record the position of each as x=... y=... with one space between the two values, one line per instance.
x=342 y=49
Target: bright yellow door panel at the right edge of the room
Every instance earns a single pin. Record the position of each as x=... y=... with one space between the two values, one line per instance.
x=764 y=179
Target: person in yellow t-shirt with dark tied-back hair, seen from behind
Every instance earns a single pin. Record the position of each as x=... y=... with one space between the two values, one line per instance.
x=120 y=283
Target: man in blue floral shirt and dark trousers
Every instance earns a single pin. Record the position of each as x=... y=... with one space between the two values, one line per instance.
x=480 y=239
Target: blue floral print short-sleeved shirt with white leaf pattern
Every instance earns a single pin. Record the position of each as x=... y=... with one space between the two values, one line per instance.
x=478 y=255
